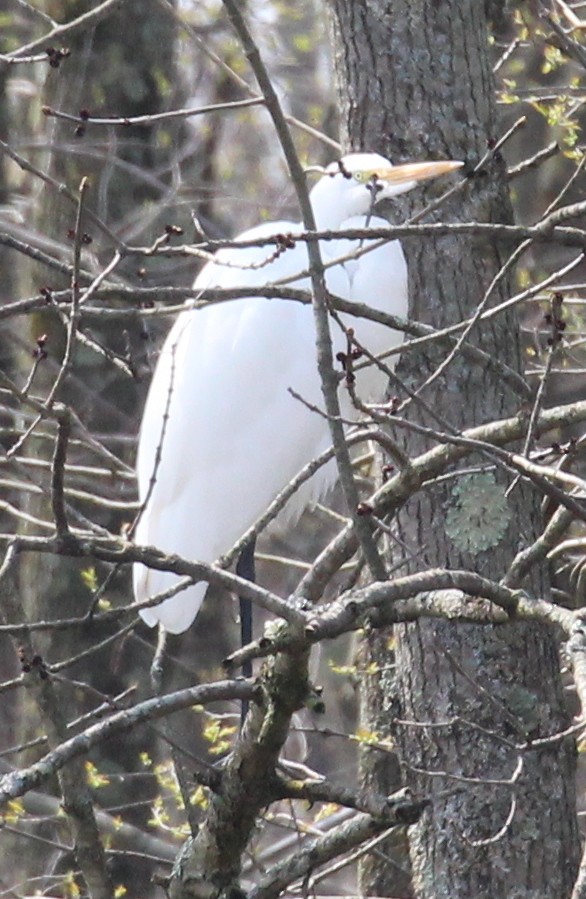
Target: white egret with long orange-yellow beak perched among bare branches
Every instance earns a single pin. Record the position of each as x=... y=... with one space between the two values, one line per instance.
x=221 y=434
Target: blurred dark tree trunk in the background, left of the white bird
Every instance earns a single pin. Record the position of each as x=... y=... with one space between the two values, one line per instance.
x=124 y=66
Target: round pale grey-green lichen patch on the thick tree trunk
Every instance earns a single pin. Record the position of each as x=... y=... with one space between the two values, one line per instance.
x=478 y=516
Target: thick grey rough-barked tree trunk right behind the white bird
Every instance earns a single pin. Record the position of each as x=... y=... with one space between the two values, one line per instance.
x=415 y=83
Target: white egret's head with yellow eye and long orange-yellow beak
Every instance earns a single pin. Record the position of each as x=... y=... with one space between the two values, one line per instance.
x=354 y=183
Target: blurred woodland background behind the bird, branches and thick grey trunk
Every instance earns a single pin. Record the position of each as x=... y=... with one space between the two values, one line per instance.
x=160 y=182
